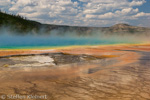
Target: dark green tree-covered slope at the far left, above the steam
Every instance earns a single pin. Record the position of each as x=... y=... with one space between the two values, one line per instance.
x=18 y=23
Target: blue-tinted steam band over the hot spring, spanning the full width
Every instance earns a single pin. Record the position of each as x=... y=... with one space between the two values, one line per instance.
x=60 y=37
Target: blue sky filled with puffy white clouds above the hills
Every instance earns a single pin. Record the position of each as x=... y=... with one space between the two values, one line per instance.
x=96 y=13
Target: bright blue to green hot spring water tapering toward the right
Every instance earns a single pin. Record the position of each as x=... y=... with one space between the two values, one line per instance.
x=31 y=41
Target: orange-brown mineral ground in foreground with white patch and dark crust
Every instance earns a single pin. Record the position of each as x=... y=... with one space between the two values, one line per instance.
x=99 y=73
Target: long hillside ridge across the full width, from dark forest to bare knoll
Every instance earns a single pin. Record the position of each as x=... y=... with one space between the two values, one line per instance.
x=21 y=25
